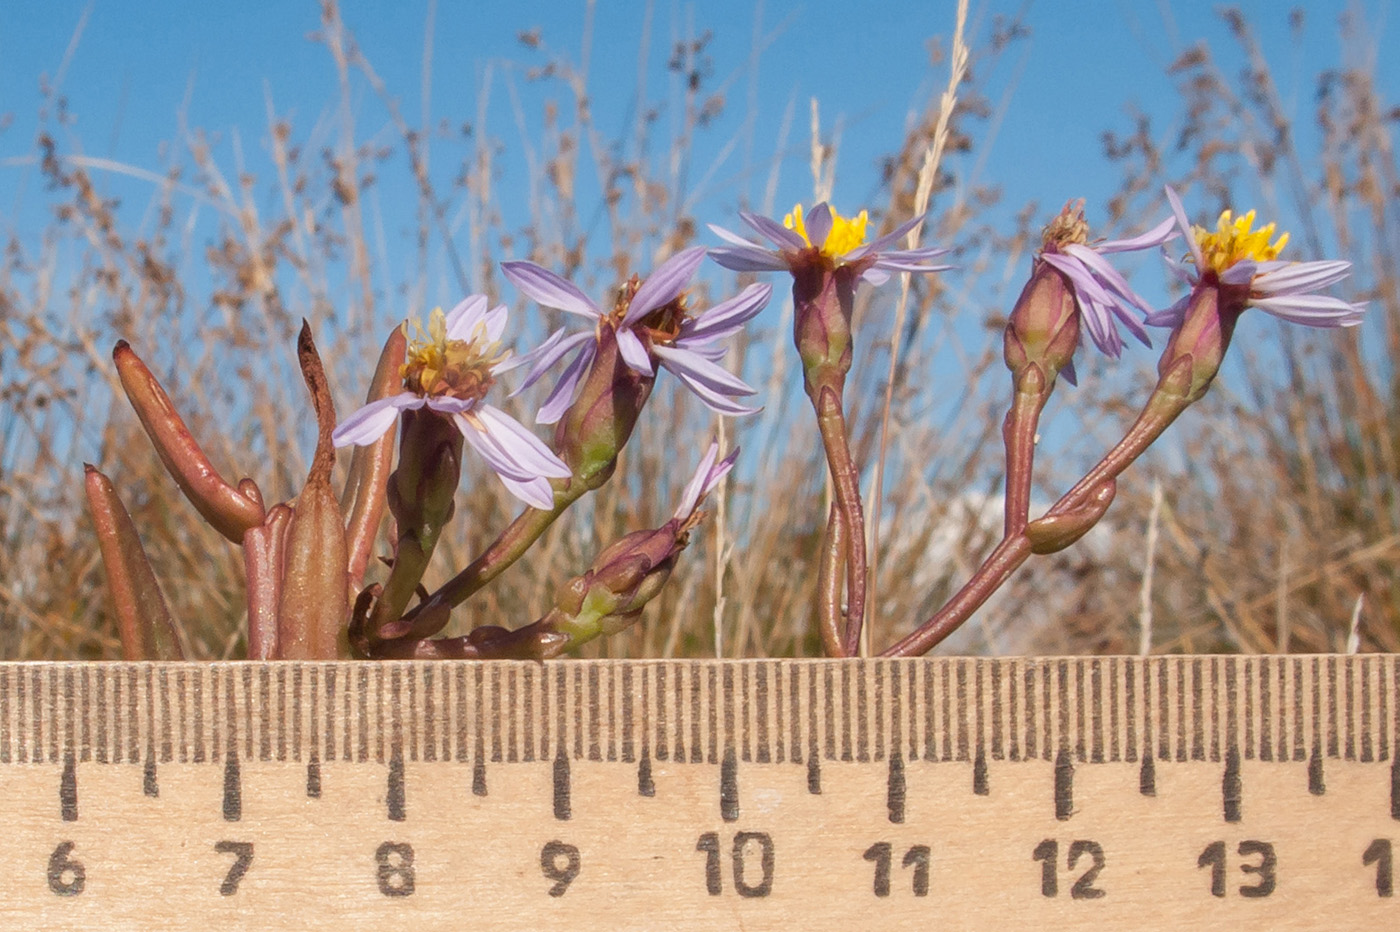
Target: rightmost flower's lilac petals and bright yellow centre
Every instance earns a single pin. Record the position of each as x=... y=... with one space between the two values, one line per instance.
x=1244 y=262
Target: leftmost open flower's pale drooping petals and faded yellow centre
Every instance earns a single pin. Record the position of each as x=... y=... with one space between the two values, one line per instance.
x=449 y=372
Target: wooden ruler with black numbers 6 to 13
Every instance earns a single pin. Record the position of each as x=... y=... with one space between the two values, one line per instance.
x=1185 y=793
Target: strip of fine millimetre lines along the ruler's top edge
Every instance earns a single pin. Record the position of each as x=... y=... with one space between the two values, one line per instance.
x=1069 y=712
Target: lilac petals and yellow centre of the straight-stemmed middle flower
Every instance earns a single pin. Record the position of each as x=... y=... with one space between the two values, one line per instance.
x=838 y=240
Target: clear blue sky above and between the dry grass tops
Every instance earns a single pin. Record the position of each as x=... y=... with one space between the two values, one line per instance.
x=139 y=73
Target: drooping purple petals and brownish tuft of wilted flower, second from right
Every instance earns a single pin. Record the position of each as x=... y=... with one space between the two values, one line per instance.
x=1101 y=290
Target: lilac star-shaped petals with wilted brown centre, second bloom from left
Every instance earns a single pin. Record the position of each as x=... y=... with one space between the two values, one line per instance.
x=652 y=324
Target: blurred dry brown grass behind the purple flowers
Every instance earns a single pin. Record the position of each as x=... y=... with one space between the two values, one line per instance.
x=1270 y=524
